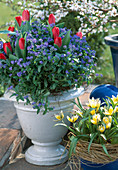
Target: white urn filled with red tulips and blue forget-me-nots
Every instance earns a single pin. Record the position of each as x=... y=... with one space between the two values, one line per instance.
x=43 y=67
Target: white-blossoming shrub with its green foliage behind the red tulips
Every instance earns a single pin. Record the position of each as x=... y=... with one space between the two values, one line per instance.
x=92 y=17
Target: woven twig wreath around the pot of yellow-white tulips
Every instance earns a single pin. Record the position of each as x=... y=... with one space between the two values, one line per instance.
x=96 y=153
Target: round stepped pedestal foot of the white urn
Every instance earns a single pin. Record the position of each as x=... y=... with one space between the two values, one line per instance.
x=46 y=153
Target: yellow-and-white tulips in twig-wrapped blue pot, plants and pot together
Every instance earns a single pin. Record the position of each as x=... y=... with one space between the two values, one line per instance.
x=94 y=134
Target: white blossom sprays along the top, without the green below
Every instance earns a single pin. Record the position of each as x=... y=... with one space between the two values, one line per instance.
x=93 y=16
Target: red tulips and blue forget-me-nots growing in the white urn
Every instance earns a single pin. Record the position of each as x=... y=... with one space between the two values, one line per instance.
x=43 y=59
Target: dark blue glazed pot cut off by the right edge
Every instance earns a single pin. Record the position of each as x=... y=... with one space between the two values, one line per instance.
x=112 y=41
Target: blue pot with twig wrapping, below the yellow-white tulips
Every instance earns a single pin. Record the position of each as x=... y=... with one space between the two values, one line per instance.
x=96 y=158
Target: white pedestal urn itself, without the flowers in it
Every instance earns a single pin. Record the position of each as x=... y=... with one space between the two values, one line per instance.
x=46 y=138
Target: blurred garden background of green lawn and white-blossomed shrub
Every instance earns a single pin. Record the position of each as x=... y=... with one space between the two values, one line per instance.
x=78 y=19
